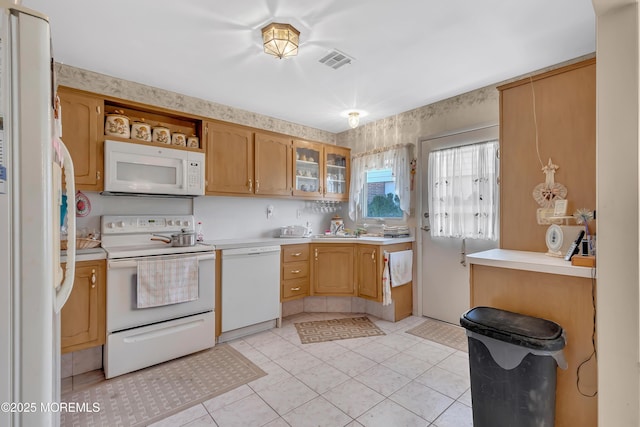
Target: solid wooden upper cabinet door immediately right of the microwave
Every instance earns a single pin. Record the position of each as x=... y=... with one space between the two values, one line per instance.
x=229 y=159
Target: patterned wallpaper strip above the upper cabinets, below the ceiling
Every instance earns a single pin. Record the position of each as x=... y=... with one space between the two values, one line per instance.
x=105 y=85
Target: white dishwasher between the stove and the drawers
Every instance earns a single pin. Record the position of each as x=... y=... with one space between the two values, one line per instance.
x=250 y=290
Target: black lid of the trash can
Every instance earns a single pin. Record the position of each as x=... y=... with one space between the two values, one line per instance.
x=514 y=328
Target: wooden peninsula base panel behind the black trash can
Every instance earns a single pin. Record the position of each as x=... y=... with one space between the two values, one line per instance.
x=566 y=300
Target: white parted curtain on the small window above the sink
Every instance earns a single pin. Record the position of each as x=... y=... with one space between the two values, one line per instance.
x=397 y=158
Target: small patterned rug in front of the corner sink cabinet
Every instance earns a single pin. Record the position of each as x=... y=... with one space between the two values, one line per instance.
x=336 y=329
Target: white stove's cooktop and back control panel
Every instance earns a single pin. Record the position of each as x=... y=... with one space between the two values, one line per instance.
x=127 y=236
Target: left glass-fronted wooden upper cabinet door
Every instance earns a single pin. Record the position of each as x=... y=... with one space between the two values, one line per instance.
x=308 y=170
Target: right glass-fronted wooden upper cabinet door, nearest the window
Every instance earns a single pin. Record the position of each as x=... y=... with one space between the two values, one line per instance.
x=337 y=167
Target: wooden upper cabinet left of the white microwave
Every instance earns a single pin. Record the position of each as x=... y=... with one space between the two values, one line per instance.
x=82 y=118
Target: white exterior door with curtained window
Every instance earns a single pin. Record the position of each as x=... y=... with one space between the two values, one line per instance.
x=461 y=220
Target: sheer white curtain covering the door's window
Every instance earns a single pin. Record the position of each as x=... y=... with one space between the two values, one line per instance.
x=463 y=191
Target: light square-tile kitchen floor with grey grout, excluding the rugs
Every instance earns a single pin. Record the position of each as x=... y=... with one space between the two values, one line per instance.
x=393 y=380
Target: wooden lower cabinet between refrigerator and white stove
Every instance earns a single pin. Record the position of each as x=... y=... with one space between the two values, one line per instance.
x=83 y=317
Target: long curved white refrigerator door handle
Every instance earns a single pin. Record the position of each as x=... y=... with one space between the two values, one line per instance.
x=69 y=274
